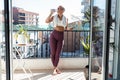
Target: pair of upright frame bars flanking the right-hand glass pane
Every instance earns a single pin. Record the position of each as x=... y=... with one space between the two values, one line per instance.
x=106 y=36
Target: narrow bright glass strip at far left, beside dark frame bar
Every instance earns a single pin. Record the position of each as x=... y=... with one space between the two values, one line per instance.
x=2 y=43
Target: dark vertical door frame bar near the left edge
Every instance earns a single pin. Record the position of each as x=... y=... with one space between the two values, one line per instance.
x=7 y=38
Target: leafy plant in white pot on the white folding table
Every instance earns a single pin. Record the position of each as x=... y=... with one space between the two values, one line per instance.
x=21 y=36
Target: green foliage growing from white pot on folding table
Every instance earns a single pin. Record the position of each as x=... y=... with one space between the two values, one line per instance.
x=22 y=31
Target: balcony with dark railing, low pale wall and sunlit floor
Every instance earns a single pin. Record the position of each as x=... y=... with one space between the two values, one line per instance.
x=38 y=56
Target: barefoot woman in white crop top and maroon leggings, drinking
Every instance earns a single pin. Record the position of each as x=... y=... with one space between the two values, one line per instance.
x=56 y=38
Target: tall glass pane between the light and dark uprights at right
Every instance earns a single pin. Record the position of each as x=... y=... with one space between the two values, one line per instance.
x=97 y=38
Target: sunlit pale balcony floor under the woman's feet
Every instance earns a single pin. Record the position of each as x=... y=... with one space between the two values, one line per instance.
x=47 y=75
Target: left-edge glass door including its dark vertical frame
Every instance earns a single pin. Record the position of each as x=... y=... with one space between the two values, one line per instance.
x=4 y=41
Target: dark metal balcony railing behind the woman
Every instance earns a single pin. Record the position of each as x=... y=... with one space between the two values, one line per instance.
x=72 y=46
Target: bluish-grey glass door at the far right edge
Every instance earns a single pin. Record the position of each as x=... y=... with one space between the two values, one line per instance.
x=114 y=48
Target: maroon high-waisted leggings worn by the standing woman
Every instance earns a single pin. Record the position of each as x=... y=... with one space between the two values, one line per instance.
x=56 y=42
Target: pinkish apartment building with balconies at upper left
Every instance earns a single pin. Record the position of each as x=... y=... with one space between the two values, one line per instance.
x=21 y=16
